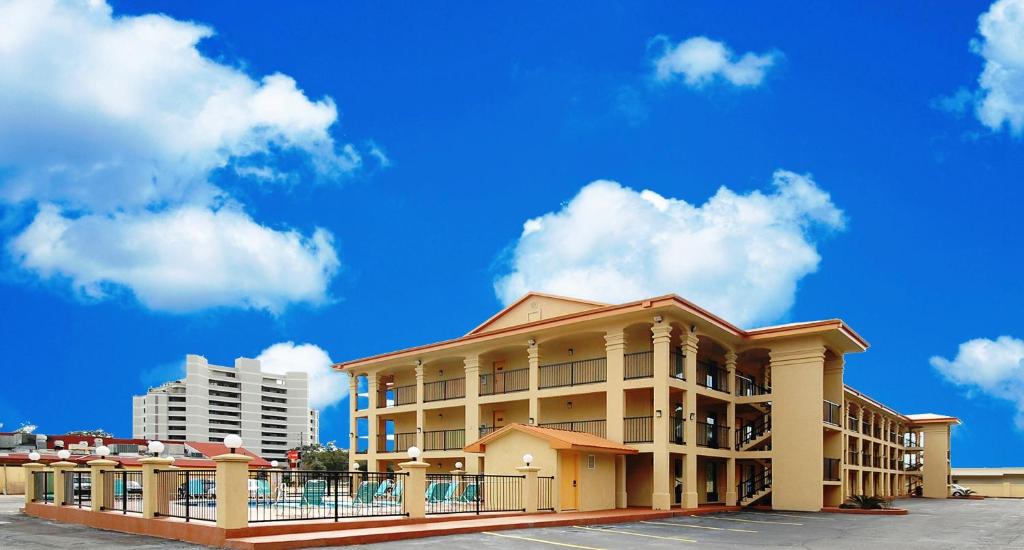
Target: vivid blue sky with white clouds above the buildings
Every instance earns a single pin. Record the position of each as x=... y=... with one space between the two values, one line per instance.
x=393 y=172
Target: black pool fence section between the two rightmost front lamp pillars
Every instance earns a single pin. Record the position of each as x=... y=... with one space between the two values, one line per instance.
x=474 y=493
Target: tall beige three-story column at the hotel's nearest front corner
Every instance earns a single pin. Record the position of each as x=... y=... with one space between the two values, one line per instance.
x=662 y=337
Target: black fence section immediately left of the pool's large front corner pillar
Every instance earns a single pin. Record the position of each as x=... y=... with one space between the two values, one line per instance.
x=187 y=494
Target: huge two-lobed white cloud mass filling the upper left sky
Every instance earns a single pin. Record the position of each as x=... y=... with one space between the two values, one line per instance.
x=111 y=129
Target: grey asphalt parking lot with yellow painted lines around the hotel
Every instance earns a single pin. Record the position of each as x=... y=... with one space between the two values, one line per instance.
x=931 y=525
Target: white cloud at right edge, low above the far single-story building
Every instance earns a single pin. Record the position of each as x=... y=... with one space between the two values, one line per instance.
x=994 y=367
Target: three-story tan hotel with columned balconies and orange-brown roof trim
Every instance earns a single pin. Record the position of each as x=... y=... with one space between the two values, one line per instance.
x=661 y=402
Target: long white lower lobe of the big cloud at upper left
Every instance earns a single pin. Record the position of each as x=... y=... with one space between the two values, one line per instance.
x=181 y=260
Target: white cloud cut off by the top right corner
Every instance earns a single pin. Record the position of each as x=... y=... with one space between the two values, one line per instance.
x=1002 y=81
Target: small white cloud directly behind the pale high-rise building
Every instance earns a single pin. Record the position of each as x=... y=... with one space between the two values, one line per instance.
x=327 y=388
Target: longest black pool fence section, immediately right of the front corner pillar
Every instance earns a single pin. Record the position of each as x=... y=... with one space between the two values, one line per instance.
x=298 y=495
